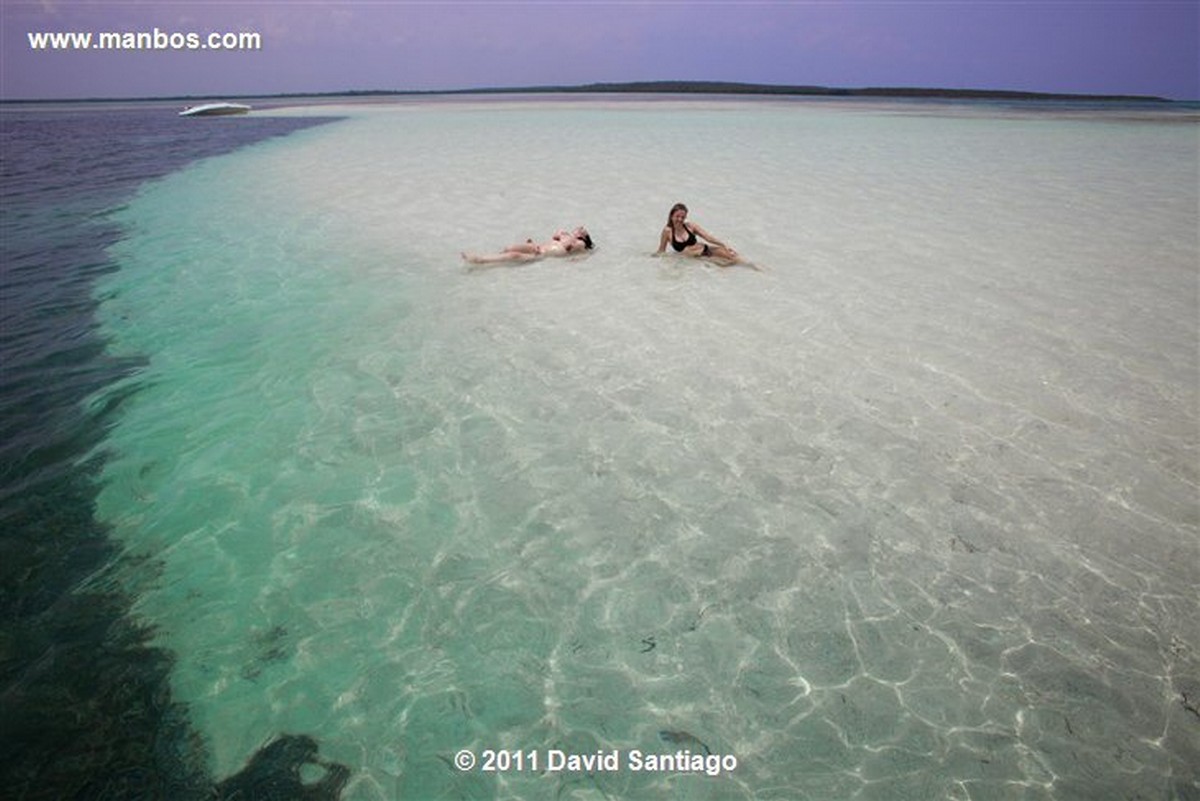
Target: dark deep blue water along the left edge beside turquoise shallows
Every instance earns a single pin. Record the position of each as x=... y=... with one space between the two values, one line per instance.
x=86 y=707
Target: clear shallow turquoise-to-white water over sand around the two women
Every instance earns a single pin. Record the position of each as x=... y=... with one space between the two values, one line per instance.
x=911 y=513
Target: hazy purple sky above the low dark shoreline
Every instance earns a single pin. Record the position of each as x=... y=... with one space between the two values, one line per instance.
x=1145 y=47
